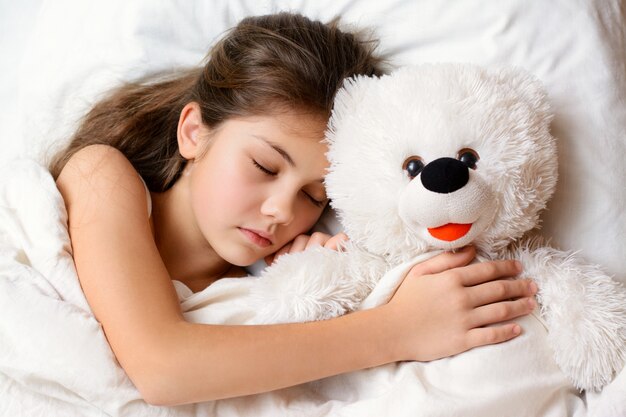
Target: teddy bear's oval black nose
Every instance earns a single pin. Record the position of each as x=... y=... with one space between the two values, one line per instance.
x=445 y=175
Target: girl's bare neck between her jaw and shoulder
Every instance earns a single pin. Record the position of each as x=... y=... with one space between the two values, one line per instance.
x=186 y=254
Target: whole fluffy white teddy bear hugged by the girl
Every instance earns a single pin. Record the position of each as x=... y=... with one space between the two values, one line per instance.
x=433 y=158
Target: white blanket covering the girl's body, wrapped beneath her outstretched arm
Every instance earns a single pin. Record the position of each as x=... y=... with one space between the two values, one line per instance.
x=54 y=358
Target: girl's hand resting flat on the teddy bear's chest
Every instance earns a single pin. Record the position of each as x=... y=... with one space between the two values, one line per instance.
x=445 y=306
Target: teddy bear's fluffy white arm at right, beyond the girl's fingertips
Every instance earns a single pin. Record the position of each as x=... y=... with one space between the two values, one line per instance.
x=584 y=310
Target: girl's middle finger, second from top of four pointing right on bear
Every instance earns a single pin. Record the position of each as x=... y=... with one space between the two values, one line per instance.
x=500 y=290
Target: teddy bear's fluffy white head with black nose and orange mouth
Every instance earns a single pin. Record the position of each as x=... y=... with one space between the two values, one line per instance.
x=437 y=156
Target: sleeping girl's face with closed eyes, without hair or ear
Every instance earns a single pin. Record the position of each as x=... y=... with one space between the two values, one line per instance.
x=259 y=184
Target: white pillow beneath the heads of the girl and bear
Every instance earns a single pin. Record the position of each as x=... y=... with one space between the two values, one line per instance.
x=578 y=48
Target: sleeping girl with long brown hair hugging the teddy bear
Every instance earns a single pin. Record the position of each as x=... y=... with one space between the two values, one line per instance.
x=194 y=176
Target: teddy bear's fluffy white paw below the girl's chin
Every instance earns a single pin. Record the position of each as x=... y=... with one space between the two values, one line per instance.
x=306 y=286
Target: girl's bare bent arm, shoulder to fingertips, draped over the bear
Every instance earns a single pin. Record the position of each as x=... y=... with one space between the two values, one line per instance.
x=174 y=362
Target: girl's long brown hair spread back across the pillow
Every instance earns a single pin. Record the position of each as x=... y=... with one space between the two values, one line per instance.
x=277 y=61
